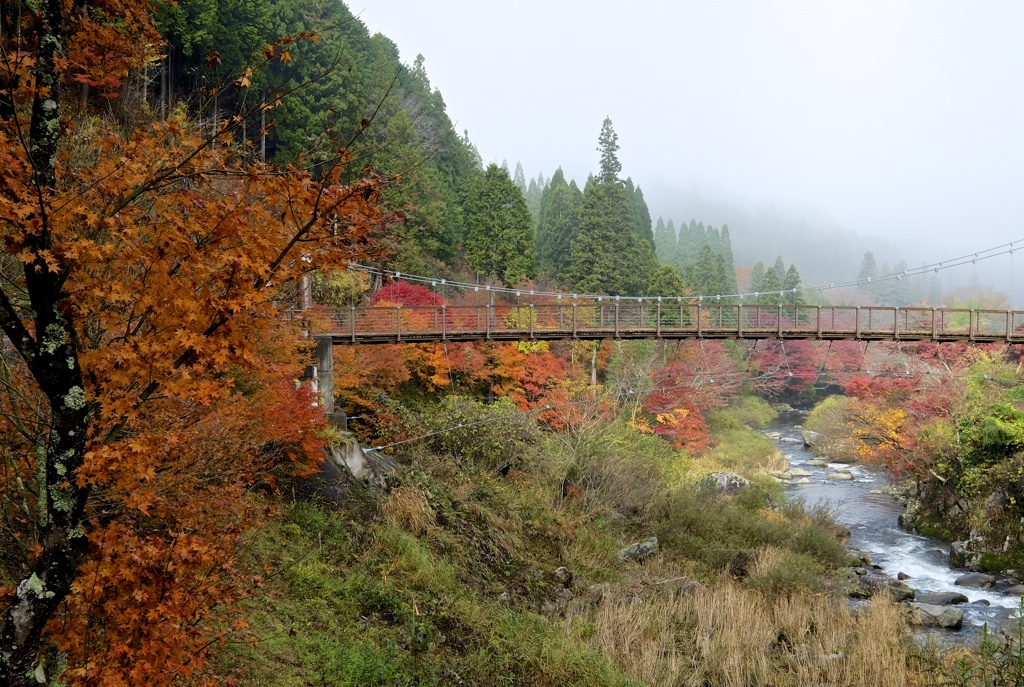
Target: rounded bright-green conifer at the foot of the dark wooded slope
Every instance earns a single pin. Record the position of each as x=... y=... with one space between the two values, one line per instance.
x=501 y=234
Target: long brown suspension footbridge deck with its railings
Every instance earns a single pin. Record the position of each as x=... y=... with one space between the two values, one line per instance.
x=632 y=320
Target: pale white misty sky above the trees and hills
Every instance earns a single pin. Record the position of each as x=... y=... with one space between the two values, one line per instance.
x=898 y=119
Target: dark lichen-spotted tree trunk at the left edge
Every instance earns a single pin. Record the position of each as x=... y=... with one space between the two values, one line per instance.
x=52 y=357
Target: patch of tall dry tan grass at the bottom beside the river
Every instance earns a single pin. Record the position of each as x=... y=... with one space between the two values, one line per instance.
x=731 y=636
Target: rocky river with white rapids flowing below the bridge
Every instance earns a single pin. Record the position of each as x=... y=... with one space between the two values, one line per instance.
x=872 y=519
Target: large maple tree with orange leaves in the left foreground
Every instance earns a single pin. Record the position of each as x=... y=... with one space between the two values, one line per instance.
x=147 y=371
